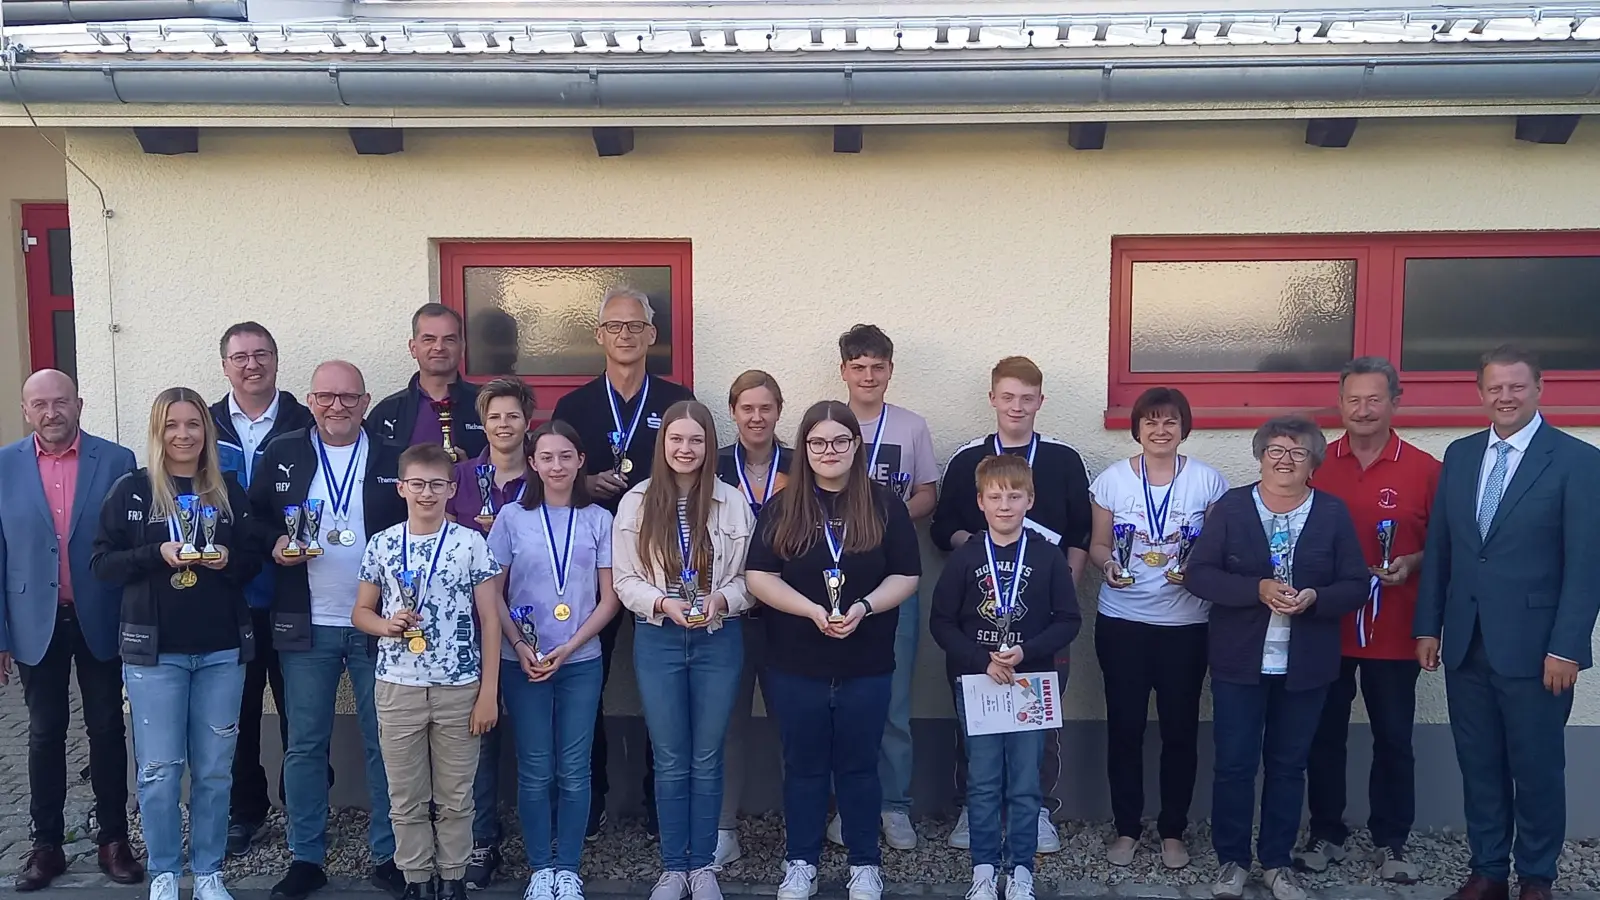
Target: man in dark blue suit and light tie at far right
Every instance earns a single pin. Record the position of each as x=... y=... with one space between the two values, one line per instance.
x=1510 y=585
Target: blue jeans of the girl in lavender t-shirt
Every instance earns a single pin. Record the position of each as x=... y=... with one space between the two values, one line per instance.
x=553 y=725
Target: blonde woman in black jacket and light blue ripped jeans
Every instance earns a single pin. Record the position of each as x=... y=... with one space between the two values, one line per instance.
x=175 y=537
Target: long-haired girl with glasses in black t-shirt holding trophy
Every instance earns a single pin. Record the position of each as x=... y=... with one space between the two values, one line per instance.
x=834 y=555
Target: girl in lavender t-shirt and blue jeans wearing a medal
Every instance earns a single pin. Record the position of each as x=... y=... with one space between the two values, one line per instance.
x=558 y=550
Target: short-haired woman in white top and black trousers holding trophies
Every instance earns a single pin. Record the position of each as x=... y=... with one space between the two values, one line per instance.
x=1151 y=633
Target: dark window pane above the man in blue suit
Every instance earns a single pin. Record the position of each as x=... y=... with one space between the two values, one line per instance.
x=1457 y=310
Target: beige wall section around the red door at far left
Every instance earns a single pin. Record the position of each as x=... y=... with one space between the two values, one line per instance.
x=30 y=174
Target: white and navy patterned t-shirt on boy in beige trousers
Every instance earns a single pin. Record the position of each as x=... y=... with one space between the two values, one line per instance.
x=444 y=603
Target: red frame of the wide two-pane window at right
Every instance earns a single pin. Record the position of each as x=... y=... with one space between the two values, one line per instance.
x=1244 y=400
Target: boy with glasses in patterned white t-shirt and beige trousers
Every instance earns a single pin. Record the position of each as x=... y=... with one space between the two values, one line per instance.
x=422 y=585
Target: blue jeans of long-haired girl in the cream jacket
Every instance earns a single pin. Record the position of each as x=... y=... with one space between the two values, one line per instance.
x=687 y=683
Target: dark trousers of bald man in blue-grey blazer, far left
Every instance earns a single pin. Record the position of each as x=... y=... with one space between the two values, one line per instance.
x=47 y=694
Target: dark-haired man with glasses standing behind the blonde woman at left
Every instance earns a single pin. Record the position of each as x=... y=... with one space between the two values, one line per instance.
x=247 y=420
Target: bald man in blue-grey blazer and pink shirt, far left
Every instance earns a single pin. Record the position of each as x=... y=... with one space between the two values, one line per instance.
x=55 y=614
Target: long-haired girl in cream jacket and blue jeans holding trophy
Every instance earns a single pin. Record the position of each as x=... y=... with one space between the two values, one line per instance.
x=679 y=552
